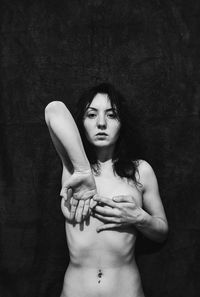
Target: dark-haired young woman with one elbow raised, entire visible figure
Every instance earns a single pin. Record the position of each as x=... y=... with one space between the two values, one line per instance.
x=107 y=195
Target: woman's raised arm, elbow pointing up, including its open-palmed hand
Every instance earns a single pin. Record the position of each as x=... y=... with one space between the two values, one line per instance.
x=76 y=167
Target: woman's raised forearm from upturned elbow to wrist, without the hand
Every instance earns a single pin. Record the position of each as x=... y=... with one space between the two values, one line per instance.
x=63 y=127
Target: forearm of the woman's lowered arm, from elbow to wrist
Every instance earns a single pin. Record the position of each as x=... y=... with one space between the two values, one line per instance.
x=154 y=228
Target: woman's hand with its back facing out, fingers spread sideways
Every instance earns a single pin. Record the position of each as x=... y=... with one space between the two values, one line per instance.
x=116 y=212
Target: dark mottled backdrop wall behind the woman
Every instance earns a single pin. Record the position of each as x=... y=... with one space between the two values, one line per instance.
x=53 y=50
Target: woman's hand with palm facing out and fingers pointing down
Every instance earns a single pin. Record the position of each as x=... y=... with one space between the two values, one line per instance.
x=83 y=188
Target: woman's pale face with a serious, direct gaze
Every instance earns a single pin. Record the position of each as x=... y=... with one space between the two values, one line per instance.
x=101 y=125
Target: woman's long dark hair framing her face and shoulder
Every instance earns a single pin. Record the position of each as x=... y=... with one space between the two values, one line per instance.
x=127 y=149
